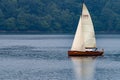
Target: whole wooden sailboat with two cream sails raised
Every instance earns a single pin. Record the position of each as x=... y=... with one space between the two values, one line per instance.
x=84 y=43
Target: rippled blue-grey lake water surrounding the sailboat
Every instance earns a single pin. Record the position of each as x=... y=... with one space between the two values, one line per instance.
x=44 y=57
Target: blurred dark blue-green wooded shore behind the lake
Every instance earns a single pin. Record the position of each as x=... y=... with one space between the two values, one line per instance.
x=57 y=16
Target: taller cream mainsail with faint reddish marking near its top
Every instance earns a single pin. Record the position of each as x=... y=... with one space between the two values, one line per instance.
x=88 y=30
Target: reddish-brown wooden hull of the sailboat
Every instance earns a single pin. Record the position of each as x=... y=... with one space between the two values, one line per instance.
x=86 y=53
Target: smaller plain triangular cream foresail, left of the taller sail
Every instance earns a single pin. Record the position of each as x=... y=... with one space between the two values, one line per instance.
x=78 y=42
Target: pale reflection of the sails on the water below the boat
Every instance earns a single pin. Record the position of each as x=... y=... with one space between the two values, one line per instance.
x=84 y=67
